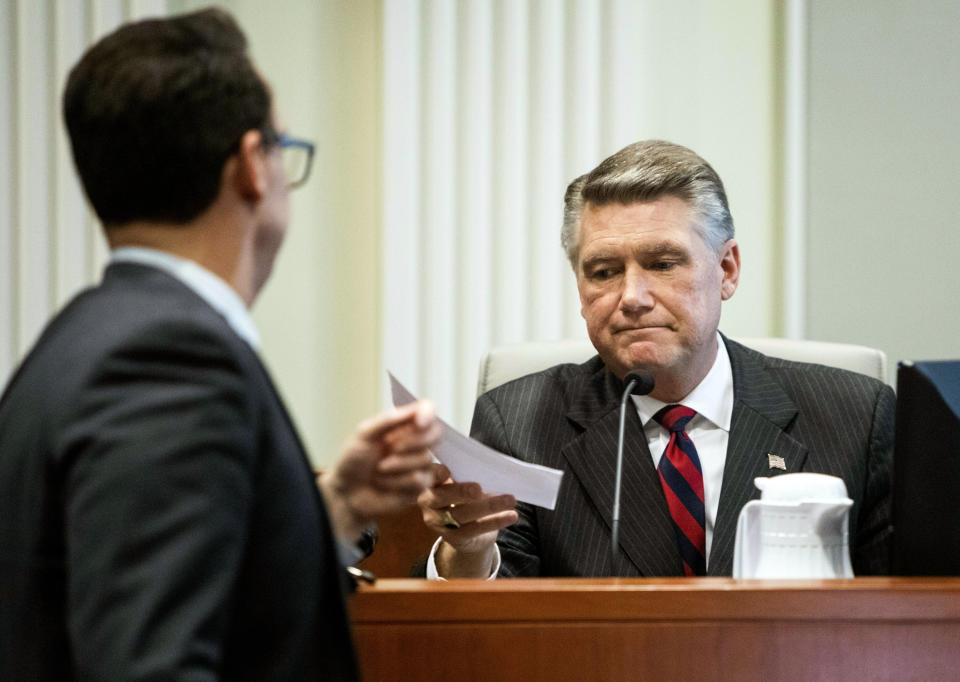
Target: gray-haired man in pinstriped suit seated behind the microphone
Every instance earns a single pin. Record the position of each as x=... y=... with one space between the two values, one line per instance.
x=650 y=238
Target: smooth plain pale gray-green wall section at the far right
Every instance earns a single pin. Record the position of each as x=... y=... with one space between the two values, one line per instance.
x=884 y=205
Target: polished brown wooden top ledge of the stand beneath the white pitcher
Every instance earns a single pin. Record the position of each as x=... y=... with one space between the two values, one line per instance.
x=404 y=600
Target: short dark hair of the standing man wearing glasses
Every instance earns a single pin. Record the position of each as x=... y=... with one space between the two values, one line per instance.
x=156 y=108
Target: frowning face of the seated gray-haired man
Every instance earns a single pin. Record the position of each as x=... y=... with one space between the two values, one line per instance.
x=651 y=288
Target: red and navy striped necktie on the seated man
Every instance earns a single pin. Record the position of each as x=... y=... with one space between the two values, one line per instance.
x=682 y=480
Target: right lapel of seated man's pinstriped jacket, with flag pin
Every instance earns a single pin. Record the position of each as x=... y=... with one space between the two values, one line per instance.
x=761 y=414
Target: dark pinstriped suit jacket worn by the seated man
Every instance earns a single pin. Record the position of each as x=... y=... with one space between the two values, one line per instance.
x=819 y=419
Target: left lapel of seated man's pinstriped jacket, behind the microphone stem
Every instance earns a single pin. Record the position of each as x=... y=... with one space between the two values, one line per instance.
x=646 y=532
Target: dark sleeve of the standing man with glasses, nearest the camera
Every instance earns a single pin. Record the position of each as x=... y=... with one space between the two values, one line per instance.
x=156 y=462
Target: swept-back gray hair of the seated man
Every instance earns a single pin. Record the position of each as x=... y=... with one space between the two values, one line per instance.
x=646 y=171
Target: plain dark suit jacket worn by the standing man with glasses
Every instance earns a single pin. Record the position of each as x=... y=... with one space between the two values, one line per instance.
x=158 y=516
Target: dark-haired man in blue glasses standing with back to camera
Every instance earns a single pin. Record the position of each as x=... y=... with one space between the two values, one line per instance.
x=159 y=518
